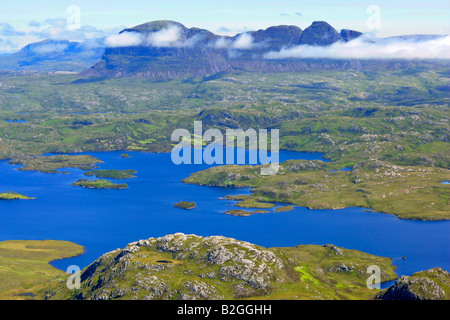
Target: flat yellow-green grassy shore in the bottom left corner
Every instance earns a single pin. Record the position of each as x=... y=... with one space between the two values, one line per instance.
x=24 y=268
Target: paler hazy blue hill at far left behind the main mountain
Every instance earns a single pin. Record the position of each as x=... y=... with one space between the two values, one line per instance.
x=52 y=56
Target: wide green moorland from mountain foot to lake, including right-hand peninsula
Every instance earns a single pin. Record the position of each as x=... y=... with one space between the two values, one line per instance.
x=397 y=117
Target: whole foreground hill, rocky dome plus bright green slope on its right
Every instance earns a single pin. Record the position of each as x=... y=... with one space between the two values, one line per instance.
x=223 y=268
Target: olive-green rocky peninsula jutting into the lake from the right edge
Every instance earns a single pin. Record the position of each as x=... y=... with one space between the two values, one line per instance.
x=410 y=192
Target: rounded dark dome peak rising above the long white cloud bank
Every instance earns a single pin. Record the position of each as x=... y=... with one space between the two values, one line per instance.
x=319 y=33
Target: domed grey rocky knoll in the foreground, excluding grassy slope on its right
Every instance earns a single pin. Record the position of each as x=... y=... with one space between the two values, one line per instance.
x=180 y=266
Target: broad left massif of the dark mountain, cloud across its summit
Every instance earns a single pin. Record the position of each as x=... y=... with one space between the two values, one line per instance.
x=167 y=50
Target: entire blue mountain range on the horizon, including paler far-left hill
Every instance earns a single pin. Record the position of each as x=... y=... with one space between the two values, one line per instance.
x=164 y=50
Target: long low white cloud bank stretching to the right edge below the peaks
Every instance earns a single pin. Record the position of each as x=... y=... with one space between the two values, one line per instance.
x=363 y=48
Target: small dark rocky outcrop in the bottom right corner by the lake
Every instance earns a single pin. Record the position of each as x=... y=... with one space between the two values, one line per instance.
x=433 y=284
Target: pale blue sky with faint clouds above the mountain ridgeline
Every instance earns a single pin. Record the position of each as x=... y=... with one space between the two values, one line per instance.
x=26 y=21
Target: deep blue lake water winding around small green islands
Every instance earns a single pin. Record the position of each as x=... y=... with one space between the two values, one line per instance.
x=103 y=220
